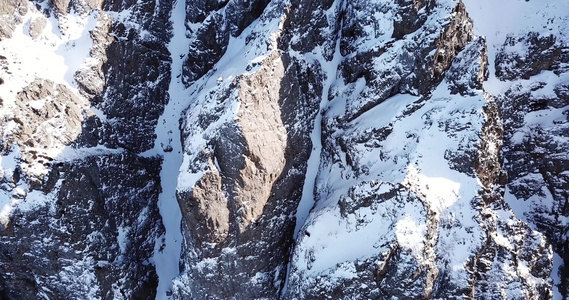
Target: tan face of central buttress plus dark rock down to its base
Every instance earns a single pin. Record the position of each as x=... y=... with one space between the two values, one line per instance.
x=238 y=215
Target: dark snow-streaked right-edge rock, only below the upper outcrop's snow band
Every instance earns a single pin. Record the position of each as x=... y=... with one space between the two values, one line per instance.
x=534 y=151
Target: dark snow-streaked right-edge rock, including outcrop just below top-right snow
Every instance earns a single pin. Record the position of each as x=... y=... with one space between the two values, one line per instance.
x=536 y=138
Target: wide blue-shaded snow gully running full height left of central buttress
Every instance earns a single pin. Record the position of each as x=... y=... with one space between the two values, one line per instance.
x=168 y=248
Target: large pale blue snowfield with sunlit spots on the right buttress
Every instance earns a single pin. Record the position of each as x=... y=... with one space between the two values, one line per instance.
x=414 y=155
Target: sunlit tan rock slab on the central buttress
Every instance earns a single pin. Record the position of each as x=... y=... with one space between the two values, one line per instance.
x=244 y=164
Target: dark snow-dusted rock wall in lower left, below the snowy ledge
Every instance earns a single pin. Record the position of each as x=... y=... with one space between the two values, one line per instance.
x=83 y=236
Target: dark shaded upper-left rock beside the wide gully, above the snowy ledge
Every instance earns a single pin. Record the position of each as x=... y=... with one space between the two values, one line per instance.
x=136 y=78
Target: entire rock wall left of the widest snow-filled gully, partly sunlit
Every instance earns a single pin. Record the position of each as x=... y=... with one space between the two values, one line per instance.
x=83 y=217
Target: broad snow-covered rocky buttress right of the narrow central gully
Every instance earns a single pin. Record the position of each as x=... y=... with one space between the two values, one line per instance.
x=360 y=150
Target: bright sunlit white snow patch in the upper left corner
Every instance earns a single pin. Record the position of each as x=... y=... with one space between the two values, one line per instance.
x=55 y=55
